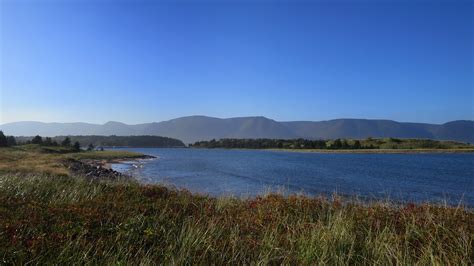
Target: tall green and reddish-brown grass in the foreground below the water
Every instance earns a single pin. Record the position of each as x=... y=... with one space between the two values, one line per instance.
x=65 y=220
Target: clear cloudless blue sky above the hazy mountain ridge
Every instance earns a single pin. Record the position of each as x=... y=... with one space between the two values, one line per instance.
x=144 y=61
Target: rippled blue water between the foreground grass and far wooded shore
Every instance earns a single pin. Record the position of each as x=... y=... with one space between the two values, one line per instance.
x=407 y=177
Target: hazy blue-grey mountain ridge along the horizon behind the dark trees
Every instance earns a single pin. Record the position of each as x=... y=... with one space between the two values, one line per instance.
x=194 y=128
